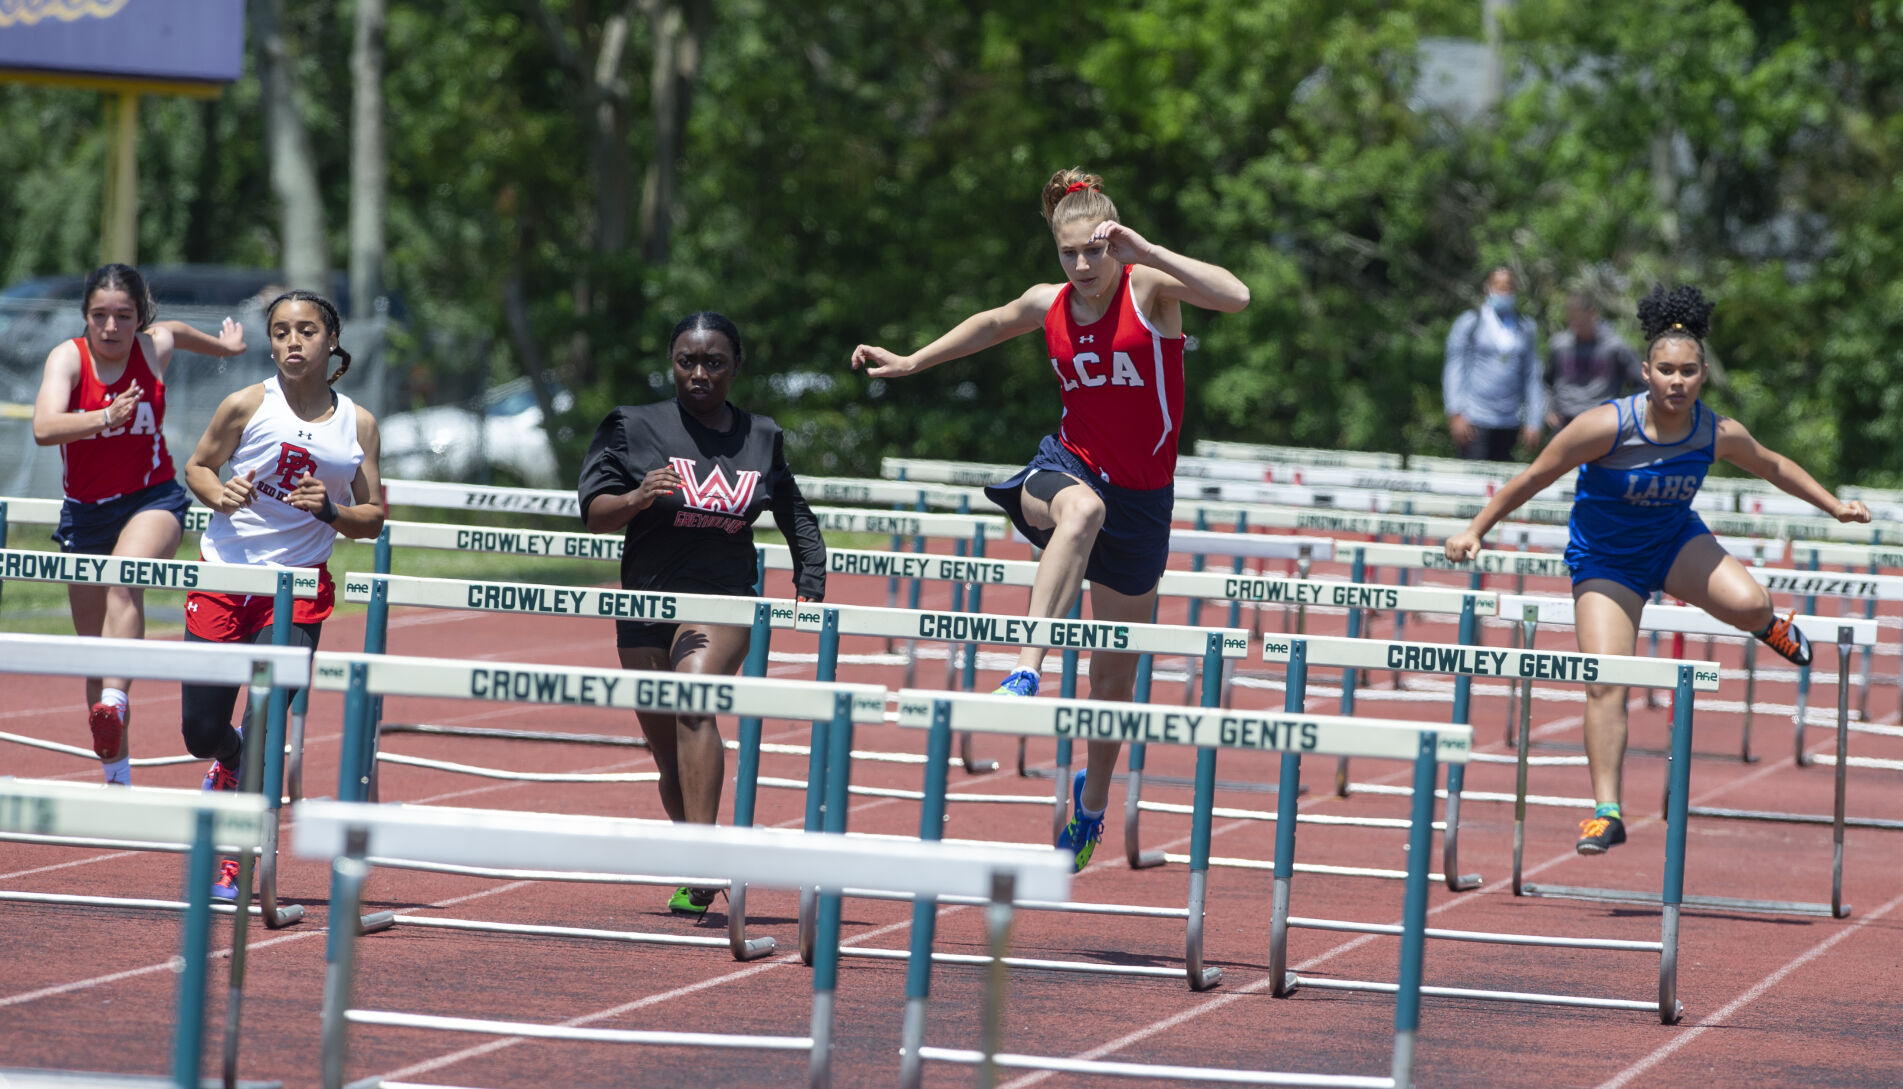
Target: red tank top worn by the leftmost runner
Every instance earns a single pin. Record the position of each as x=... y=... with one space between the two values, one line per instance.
x=130 y=456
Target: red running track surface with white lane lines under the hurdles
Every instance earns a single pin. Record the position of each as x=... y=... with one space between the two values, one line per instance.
x=1799 y=1002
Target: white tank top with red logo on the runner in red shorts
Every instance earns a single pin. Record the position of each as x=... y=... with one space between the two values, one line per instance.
x=283 y=448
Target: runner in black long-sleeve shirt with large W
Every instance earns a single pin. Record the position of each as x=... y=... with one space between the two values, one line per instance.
x=686 y=479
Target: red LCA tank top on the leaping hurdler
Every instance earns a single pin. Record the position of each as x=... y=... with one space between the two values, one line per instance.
x=1124 y=391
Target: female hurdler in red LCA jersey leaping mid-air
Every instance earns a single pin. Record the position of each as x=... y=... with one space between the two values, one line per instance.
x=1099 y=494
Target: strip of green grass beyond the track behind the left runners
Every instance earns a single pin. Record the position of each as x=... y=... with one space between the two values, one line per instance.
x=41 y=608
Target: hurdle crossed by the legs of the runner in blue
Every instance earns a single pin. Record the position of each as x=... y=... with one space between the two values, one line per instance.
x=1849 y=633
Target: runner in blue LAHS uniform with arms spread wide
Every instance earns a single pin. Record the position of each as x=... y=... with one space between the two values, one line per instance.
x=1634 y=530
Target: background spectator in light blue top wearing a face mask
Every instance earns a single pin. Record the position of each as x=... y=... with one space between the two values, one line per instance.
x=1491 y=380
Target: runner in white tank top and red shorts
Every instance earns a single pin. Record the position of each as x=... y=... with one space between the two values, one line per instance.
x=304 y=469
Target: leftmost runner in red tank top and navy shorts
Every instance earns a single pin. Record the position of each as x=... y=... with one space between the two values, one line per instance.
x=104 y=403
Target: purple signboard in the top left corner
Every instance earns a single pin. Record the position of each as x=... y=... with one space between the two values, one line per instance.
x=199 y=41
